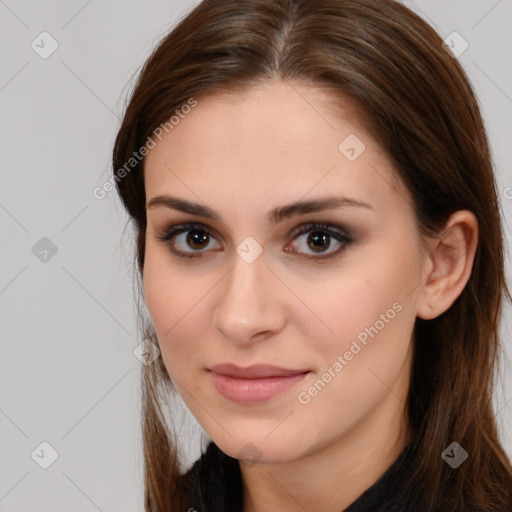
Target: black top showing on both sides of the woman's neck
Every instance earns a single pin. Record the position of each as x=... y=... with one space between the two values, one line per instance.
x=214 y=484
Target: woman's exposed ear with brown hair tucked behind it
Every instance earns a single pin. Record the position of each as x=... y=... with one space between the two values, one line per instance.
x=450 y=261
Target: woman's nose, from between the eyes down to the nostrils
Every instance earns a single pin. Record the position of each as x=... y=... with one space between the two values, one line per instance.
x=249 y=305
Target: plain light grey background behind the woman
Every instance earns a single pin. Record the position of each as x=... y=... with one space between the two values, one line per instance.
x=68 y=374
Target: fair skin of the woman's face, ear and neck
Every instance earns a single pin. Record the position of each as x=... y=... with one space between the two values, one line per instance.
x=243 y=154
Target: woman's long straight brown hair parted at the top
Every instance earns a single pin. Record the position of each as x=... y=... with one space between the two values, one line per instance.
x=420 y=106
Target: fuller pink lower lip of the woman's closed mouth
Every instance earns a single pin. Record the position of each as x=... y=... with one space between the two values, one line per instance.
x=252 y=391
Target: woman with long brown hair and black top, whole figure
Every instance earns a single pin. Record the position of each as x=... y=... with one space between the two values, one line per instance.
x=320 y=246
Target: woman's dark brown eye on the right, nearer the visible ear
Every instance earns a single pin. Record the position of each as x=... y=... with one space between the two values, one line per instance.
x=320 y=238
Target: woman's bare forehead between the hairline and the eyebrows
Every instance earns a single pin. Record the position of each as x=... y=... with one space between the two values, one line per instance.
x=274 y=143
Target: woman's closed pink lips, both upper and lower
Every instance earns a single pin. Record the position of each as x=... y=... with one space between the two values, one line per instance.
x=253 y=384
